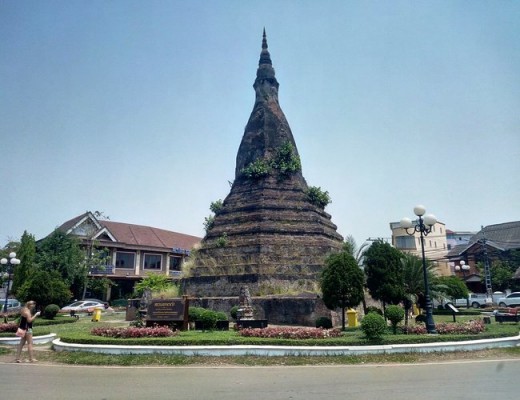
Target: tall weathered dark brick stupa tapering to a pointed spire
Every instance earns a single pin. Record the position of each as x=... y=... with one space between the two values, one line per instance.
x=268 y=234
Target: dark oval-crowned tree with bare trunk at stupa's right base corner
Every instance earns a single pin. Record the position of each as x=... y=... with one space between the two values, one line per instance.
x=341 y=283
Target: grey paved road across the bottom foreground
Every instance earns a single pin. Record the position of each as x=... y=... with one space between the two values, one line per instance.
x=466 y=380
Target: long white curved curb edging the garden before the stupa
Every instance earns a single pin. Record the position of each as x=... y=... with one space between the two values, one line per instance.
x=218 y=351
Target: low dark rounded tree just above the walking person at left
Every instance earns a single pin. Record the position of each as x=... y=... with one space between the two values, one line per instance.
x=45 y=287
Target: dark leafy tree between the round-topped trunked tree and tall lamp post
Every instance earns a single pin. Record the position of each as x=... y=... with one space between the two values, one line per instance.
x=384 y=273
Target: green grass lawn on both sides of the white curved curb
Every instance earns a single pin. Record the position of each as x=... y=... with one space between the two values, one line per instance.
x=78 y=331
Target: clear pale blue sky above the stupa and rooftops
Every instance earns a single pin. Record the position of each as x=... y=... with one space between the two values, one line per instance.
x=136 y=109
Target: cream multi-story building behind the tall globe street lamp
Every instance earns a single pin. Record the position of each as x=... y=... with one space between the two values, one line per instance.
x=435 y=244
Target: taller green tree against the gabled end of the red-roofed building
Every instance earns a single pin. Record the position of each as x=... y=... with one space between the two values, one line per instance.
x=62 y=253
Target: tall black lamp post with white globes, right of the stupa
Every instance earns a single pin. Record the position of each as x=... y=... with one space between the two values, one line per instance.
x=424 y=227
